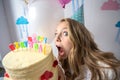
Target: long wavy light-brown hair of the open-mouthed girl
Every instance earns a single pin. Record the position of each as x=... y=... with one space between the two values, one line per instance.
x=85 y=52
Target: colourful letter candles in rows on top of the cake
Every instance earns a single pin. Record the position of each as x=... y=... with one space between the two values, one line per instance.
x=36 y=43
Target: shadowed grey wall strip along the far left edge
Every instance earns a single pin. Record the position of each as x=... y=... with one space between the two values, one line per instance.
x=4 y=33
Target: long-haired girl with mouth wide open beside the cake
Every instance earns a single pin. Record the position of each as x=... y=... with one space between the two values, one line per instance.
x=79 y=55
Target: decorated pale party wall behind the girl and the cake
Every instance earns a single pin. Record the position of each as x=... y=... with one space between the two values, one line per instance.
x=99 y=17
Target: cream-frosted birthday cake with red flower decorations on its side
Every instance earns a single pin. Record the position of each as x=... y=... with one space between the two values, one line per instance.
x=27 y=63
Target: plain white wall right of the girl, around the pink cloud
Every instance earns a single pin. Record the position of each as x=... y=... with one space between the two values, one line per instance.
x=101 y=23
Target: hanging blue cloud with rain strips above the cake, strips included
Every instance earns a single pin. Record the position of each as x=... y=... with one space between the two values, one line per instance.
x=22 y=22
